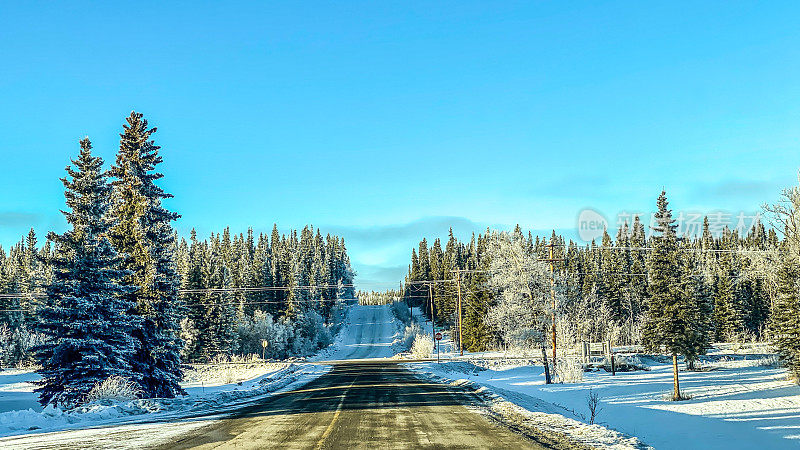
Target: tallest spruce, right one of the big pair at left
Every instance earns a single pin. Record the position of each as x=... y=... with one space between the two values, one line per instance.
x=143 y=233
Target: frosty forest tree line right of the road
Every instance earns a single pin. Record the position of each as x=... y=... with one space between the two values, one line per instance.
x=721 y=288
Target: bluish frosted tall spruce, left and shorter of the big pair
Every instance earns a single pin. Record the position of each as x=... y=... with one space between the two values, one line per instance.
x=84 y=318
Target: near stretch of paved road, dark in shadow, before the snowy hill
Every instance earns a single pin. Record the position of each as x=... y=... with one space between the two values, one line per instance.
x=358 y=405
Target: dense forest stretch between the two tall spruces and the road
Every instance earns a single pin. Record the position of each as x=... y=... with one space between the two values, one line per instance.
x=302 y=281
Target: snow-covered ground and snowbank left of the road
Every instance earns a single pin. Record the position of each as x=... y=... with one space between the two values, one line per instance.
x=144 y=422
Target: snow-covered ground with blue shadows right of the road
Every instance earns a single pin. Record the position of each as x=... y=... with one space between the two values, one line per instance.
x=736 y=403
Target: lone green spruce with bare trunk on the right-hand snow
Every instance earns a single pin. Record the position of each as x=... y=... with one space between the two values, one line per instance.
x=675 y=320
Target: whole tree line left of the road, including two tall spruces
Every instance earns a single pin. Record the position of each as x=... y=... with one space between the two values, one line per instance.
x=120 y=295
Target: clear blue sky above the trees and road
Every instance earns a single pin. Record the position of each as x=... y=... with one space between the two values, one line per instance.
x=384 y=121
